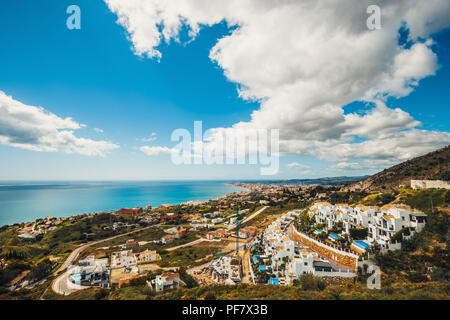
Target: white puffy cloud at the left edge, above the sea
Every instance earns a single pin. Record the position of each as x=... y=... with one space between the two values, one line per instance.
x=34 y=128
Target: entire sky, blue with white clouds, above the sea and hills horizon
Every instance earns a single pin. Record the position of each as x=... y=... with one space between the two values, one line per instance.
x=101 y=103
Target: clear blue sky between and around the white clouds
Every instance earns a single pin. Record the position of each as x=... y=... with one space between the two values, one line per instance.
x=93 y=76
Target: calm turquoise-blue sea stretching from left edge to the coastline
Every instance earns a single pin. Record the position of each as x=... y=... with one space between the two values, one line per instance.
x=28 y=201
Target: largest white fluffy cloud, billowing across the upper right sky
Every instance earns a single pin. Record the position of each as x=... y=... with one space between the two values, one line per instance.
x=305 y=60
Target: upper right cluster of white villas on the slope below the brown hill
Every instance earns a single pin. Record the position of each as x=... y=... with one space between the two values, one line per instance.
x=381 y=224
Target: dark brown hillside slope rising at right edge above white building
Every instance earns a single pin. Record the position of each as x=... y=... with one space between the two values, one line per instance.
x=433 y=166
